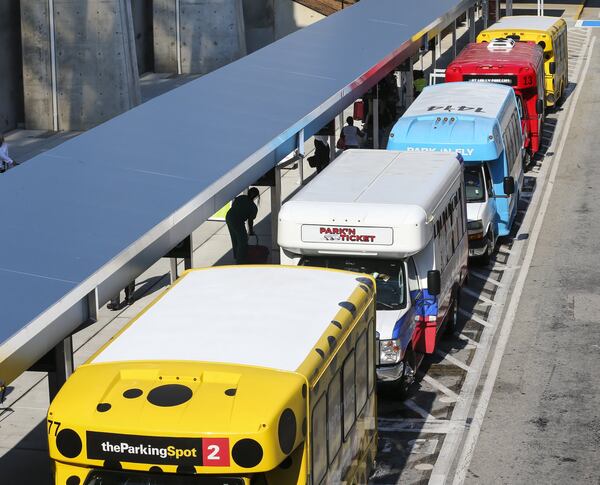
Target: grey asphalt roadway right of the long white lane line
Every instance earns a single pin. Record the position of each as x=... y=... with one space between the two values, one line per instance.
x=542 y=423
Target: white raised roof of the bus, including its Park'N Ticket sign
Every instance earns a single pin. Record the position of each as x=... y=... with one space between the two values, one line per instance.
x=369 y=202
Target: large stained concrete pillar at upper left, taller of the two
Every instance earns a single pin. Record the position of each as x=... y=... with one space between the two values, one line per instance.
x=79 y=62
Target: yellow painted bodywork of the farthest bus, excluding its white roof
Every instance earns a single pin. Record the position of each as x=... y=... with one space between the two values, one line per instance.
x=555 y=84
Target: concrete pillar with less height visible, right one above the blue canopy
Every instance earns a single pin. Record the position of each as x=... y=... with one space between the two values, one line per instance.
x=197 y=36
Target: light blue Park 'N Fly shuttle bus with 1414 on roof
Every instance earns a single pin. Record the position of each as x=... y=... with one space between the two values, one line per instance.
x=482 y=123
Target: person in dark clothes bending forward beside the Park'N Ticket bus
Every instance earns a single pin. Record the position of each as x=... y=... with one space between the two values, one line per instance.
x=243 y=209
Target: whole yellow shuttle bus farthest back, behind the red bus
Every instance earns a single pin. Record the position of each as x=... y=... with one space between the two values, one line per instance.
x=548 y=32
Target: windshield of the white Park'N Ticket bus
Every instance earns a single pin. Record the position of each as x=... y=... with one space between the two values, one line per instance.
x=388 y=274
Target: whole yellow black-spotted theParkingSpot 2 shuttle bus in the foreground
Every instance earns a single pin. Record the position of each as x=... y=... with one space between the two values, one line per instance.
x=252 y=375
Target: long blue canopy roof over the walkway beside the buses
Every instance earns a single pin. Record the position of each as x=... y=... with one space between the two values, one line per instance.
x=101 y=208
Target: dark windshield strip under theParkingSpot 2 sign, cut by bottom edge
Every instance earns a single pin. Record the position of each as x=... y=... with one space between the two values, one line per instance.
x=105 y=477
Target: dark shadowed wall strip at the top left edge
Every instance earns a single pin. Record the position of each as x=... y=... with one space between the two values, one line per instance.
x=11 y=84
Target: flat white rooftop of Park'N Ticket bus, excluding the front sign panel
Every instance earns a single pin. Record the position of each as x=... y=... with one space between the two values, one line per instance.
x=378 y=179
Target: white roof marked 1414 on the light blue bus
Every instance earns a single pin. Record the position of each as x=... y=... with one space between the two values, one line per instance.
x=447 y=99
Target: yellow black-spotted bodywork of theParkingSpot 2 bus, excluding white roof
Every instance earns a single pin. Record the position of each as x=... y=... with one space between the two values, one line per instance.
x=138 y=402
